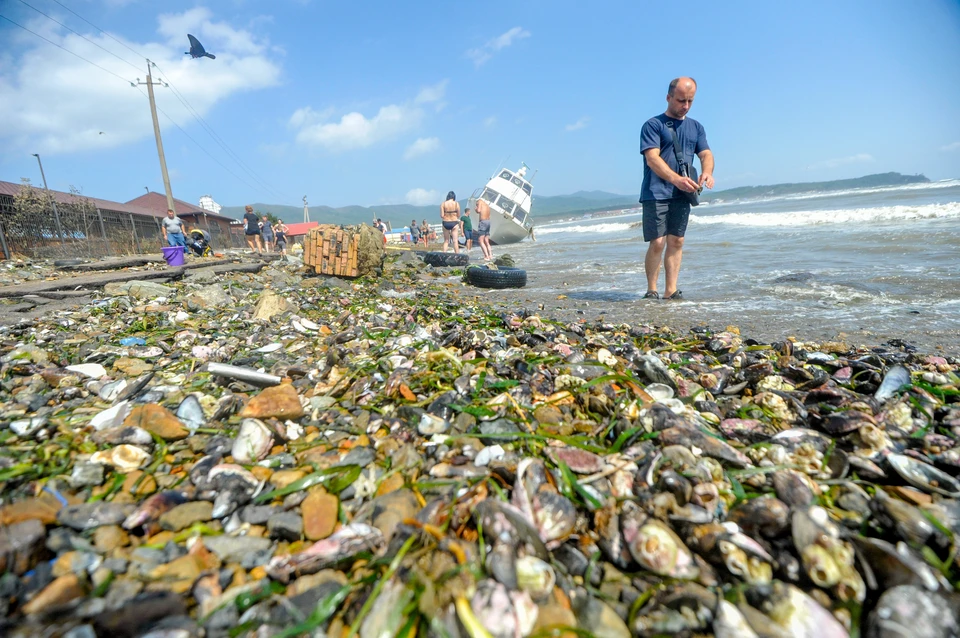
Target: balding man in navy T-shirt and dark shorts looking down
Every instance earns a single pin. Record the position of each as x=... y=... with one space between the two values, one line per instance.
x=666 y=209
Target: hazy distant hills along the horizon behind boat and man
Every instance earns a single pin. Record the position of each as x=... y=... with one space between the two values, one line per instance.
x=547 y=207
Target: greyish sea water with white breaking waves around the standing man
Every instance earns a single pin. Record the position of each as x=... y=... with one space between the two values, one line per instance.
x=865 y=265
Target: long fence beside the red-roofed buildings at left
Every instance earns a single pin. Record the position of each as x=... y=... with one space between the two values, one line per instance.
x=29 y=226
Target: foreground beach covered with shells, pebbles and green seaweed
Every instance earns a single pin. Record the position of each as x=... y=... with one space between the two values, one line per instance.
x=368 y=470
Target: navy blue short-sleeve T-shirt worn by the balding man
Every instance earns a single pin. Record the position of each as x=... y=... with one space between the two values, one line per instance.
x=656 y=134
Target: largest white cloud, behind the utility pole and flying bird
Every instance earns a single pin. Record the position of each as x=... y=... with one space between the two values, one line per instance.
x=53 y=102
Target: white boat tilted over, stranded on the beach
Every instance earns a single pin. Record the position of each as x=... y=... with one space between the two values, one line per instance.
x=509 y=195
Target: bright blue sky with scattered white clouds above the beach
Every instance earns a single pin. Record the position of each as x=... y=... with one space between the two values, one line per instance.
x=387 y=102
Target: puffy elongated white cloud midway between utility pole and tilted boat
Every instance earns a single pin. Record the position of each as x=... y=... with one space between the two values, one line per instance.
x=355 y=130
